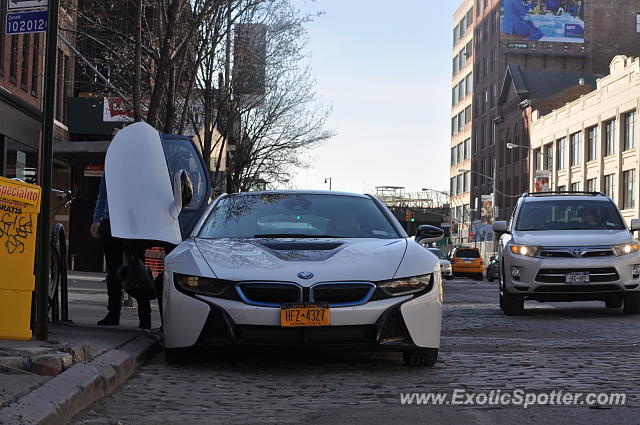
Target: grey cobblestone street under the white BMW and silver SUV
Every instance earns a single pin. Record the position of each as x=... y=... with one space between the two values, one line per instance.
x=577 y=347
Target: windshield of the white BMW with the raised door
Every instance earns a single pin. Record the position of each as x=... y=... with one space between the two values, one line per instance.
x=274 y=215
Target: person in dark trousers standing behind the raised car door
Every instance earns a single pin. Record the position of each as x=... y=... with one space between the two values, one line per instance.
x=114 y=250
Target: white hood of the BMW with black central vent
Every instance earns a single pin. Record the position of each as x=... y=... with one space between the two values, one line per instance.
x=282 y=259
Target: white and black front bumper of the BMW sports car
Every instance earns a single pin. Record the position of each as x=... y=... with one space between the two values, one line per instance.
x=395 y=324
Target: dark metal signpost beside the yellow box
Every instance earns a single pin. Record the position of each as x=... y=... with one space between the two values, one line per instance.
x=46 y=166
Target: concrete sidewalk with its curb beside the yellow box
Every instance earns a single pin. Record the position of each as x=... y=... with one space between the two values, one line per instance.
x=48 y=382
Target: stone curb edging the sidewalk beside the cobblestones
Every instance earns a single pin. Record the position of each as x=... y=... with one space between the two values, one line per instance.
x=62 y=397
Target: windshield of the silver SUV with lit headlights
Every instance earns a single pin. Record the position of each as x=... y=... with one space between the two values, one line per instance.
x=569 y=214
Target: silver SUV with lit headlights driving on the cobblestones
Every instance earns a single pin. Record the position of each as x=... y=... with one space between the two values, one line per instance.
x=568 y=246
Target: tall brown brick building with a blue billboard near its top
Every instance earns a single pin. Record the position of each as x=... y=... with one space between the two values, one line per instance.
x=573 y=37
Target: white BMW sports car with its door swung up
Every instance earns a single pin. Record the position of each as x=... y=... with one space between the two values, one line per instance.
x=274 y=268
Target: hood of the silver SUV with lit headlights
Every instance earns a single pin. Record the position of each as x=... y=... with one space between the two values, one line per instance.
x=572 y=237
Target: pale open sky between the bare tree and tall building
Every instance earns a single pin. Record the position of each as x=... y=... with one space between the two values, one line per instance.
x=385 y=68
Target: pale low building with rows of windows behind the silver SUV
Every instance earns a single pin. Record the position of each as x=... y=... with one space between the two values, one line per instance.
x=591 y=144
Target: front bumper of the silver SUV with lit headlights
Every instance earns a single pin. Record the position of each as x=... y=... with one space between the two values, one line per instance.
x=543 y=278
